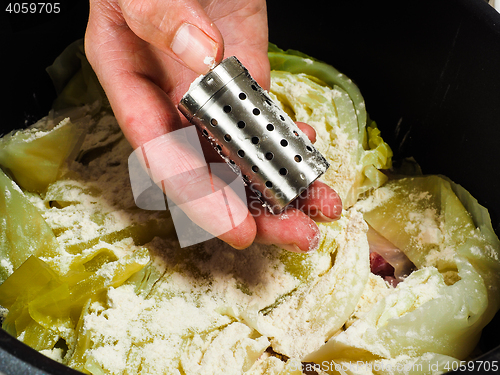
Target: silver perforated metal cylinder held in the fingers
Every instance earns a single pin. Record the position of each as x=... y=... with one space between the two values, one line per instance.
x=255 y=136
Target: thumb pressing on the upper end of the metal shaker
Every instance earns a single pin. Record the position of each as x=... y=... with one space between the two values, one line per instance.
x=180 y=28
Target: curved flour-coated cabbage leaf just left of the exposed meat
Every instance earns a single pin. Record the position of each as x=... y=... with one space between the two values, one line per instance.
x=316 y=311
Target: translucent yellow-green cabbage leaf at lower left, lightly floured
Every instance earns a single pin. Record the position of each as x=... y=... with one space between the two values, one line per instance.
x=42 y=302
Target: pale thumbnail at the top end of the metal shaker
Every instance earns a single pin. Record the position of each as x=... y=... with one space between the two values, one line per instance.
x=195 y=48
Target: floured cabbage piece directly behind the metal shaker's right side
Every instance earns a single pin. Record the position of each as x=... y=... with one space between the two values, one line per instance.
x=342 y=135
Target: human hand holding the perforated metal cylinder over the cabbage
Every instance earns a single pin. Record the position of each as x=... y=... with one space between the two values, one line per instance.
x=146 y=54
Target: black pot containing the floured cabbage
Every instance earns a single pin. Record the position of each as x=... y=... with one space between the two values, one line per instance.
x=429 y=71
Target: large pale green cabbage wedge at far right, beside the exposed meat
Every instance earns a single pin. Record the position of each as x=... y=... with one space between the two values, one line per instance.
x=440 y=309
